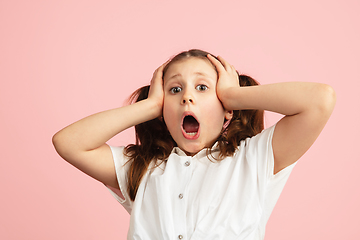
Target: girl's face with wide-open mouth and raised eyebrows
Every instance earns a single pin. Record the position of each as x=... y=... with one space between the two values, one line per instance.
x=192 y=111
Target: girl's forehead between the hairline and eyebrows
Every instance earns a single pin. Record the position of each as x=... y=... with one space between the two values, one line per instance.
x=191 y=66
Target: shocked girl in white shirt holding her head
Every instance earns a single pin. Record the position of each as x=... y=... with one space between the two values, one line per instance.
x=202 y=166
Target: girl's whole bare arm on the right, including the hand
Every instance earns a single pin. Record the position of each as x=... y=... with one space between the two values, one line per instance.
x=306 y=106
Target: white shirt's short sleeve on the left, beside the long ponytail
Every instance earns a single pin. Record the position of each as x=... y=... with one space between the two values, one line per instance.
x=121 y=169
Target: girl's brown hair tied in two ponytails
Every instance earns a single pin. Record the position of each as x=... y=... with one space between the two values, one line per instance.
x=154 y=142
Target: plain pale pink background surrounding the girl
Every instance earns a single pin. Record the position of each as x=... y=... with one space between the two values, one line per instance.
x=63 y=60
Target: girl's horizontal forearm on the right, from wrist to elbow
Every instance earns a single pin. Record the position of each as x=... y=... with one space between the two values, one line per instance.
x=285 y=98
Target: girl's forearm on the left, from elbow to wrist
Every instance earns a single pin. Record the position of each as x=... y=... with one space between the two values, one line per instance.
x=95 y=130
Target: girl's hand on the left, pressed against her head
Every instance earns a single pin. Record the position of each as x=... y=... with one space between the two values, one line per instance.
x=156 y=92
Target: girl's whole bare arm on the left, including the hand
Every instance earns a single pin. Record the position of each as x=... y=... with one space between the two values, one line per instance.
x=83 y=143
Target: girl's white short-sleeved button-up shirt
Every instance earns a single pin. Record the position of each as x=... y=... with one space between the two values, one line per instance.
x=195 y=198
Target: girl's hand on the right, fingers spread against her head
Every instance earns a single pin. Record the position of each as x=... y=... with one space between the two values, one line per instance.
x=228 y=78
